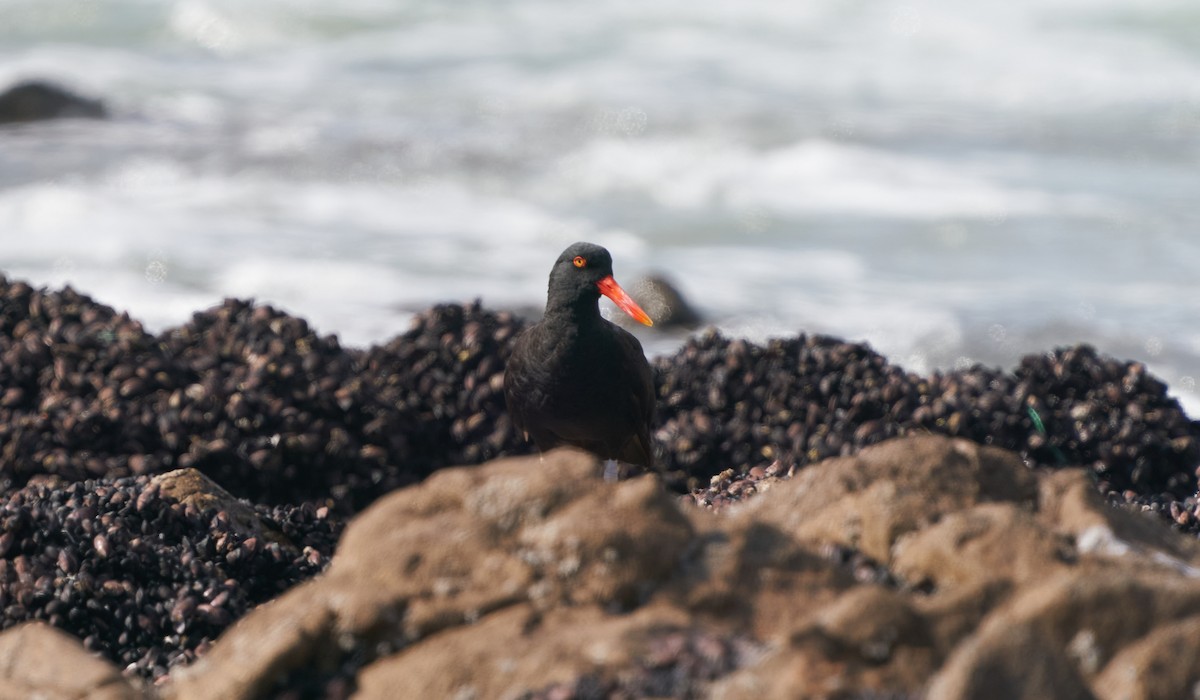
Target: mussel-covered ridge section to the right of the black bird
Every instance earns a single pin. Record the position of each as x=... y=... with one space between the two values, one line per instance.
x=730 y=404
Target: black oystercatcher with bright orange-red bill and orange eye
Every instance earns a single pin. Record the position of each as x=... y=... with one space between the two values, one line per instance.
x=575 y=379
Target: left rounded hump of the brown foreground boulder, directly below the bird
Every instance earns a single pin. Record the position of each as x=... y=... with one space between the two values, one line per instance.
x=452 y=553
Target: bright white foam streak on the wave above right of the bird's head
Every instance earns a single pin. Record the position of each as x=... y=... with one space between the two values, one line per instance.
x=812 y=177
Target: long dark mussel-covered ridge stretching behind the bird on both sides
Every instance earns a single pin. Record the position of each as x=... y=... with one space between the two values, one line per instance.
x=279 y=414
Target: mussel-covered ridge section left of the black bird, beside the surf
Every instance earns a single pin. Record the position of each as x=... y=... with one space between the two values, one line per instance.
x=251 y=397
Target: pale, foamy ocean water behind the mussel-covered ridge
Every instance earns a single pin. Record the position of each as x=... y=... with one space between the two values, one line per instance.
x=952 y=183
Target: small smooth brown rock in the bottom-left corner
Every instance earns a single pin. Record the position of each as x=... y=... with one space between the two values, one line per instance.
x=38 y=661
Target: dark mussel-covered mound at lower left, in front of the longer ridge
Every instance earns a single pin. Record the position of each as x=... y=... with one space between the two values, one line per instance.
x=141 y=578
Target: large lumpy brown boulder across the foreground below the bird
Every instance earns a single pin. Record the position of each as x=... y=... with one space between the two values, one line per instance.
x=925 y=567
